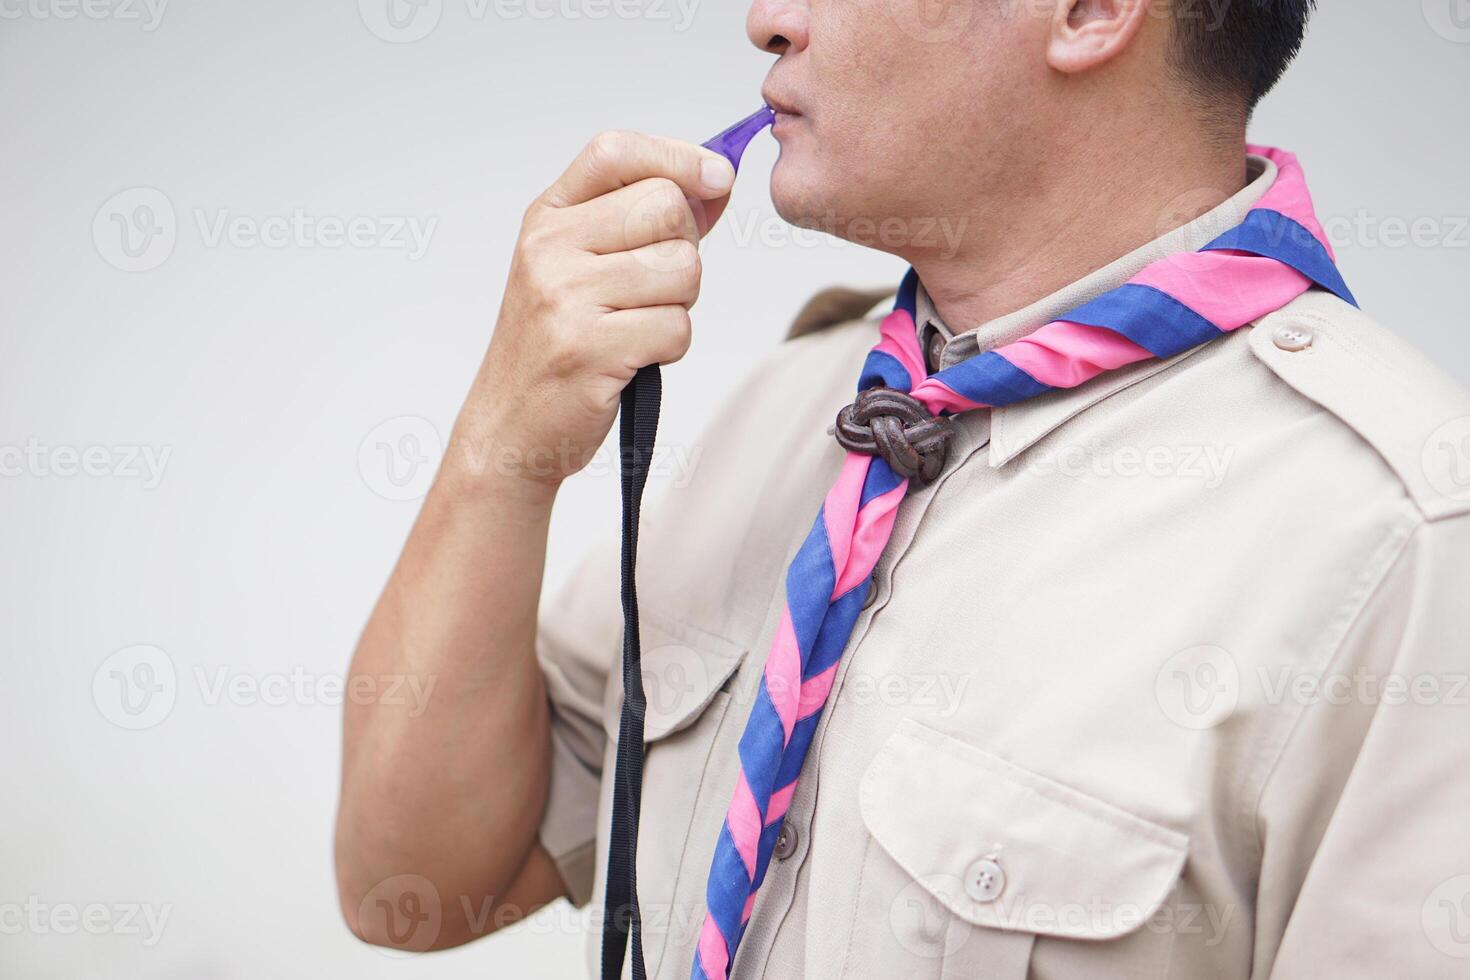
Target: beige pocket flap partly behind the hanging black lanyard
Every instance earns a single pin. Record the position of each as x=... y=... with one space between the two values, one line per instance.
x=683 y=669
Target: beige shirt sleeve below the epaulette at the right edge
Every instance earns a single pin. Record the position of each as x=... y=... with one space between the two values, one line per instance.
x=1366 y=846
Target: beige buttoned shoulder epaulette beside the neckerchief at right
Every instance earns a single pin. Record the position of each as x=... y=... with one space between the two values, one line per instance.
x=1402 y=405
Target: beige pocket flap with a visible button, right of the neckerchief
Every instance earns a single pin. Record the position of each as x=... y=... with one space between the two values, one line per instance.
x=1006 y=849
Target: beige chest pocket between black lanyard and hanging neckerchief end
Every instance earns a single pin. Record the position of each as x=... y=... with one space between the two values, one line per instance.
x=686 y=672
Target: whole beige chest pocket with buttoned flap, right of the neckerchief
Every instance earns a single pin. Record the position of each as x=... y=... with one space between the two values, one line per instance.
x=980 y=860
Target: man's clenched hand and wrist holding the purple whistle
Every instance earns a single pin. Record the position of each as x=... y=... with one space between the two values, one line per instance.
x=602 y=283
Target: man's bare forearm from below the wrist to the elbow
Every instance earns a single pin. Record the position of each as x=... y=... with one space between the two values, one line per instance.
x=452 y=785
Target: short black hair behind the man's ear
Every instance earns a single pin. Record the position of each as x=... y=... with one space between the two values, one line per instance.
x=1238 y=49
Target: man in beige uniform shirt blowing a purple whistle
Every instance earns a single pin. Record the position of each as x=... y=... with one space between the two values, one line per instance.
x=1162 y=677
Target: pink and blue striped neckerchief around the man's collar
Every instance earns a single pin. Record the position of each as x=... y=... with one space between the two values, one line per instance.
x=1278 y=253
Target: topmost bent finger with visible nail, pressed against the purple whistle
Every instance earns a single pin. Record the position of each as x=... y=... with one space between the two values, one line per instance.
x=614 y=161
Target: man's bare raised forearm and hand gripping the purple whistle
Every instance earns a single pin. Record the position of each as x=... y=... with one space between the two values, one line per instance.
x=449 y=803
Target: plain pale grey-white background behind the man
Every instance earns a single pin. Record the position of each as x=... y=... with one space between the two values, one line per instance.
x=261 y=372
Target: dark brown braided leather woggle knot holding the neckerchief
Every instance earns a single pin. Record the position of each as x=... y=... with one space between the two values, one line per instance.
x=899 y=428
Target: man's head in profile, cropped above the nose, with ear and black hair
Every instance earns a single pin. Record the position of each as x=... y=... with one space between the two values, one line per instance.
x=922 y=111
